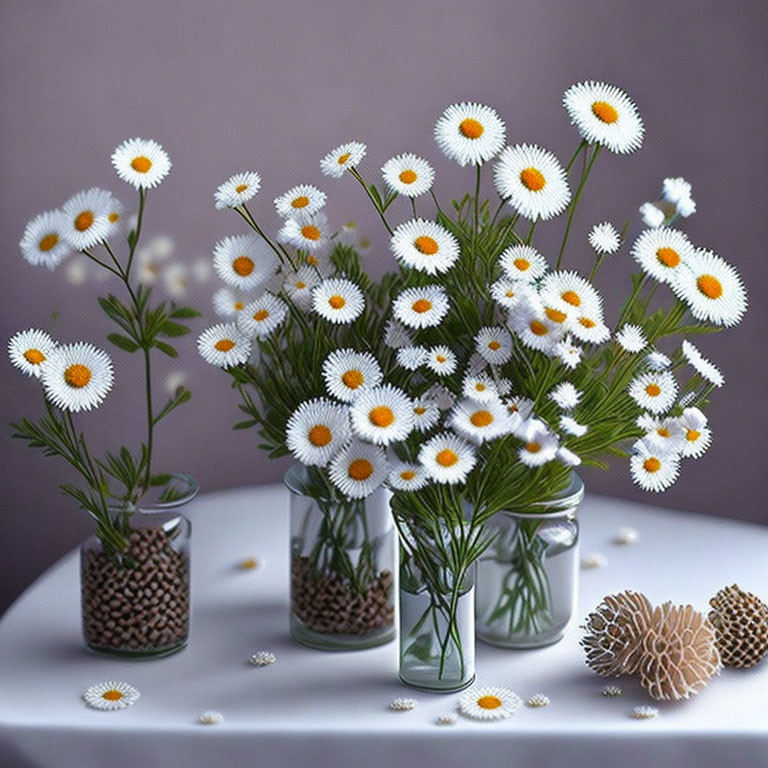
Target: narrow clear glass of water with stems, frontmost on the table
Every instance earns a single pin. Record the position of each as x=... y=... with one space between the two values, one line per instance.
x=437 y=629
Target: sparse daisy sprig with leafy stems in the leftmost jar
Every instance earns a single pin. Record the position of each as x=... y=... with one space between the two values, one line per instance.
x=76 y=377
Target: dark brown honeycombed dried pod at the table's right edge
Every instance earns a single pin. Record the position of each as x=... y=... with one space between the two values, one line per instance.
x=741 y=625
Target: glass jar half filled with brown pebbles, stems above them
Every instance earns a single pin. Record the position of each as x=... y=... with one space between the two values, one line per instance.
x=342 y=568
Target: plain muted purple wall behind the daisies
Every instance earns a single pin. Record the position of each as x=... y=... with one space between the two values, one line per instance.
x=271 y=87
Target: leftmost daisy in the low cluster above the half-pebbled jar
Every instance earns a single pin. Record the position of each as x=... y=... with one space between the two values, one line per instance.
x=316 y=431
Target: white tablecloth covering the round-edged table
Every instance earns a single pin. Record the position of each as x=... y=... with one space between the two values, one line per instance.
x=315 y=709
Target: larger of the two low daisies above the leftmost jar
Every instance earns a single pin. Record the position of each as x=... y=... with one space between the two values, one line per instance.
x=77 y=377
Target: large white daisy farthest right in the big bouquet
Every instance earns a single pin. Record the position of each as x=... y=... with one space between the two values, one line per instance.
x=712 y=288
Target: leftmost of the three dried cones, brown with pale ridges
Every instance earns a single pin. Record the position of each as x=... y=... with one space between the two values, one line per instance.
x=614 y=633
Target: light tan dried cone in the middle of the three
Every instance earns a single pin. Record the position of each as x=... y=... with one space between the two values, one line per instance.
x=679 y=653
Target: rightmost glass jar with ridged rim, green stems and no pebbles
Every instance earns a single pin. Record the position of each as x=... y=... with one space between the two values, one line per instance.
x=527 y=579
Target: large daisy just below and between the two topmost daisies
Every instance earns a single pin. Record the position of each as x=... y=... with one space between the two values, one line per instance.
x=532 y=181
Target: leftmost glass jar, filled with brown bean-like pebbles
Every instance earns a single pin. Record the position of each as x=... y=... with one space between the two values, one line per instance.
x=136 y=603
